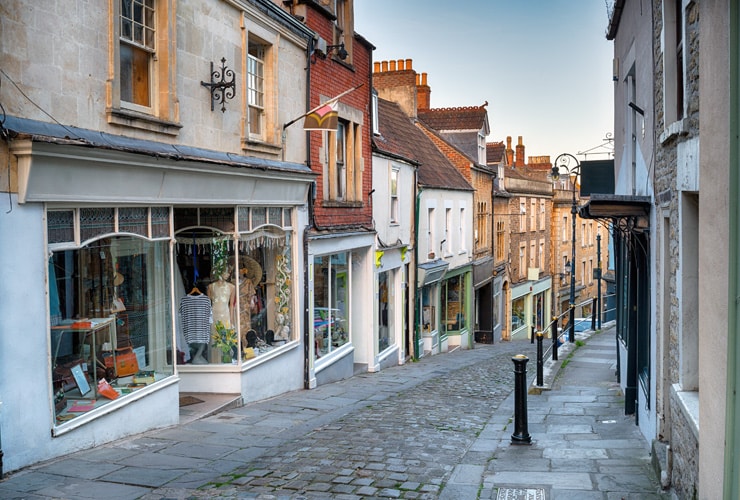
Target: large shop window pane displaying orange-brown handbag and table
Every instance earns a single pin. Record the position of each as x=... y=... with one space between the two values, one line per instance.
x=111 y=324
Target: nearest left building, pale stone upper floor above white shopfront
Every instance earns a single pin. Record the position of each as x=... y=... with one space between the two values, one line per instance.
x=130 y=183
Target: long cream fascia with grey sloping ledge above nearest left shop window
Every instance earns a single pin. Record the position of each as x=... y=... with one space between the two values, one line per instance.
x=64 y=164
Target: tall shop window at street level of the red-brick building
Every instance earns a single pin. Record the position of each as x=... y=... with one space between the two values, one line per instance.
x=331 y=302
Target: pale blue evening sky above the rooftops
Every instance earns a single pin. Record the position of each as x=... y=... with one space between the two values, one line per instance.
x=544 y=66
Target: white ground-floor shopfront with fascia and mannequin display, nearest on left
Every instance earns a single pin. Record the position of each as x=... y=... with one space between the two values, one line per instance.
x=149 y=275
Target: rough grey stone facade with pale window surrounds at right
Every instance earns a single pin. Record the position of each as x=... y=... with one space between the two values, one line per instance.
x=677 y=199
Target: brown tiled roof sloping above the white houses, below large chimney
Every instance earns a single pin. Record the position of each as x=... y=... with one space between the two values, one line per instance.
x=399 y=137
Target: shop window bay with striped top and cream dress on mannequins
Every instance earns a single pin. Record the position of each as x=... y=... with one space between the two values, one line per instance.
x=244 y=284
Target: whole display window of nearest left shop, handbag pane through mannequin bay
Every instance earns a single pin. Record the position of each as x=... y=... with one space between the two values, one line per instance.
x=134 y=290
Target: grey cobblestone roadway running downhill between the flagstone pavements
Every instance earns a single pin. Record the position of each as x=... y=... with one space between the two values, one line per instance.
x=402 y=447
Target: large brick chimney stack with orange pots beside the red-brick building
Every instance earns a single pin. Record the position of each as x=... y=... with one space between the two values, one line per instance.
x=397 y=81
